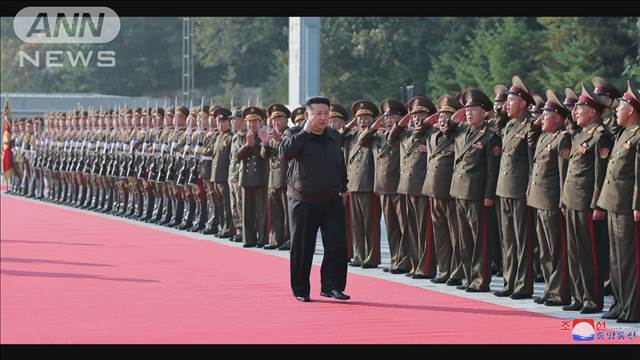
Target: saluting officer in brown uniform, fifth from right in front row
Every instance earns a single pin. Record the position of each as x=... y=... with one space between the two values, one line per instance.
x=475 y=173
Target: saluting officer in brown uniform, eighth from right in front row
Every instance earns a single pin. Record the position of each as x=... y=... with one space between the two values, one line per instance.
x=387 y=175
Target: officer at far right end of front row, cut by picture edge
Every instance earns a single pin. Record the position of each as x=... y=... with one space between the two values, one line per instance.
x=620 y=196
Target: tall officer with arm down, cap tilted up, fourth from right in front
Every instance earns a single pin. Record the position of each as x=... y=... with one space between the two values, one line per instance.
x=518 y=144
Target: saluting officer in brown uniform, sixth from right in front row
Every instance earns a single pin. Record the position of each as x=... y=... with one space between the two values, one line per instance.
x=437 y=185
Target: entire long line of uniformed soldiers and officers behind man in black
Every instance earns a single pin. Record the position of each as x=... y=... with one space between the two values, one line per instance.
x=467 y=187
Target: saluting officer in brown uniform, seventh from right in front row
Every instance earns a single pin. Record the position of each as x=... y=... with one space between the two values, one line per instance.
x=413 y=133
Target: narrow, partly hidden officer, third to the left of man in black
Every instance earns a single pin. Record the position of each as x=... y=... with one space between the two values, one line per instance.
x=238 y=140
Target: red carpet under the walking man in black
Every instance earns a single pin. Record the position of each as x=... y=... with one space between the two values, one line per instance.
x=69 y=277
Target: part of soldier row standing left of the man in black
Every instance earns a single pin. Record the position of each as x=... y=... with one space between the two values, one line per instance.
x=177 y=167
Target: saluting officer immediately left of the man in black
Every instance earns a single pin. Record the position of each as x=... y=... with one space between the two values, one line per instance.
x=277 y=213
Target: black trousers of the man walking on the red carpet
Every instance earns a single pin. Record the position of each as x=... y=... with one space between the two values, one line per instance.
x=304 y=221
